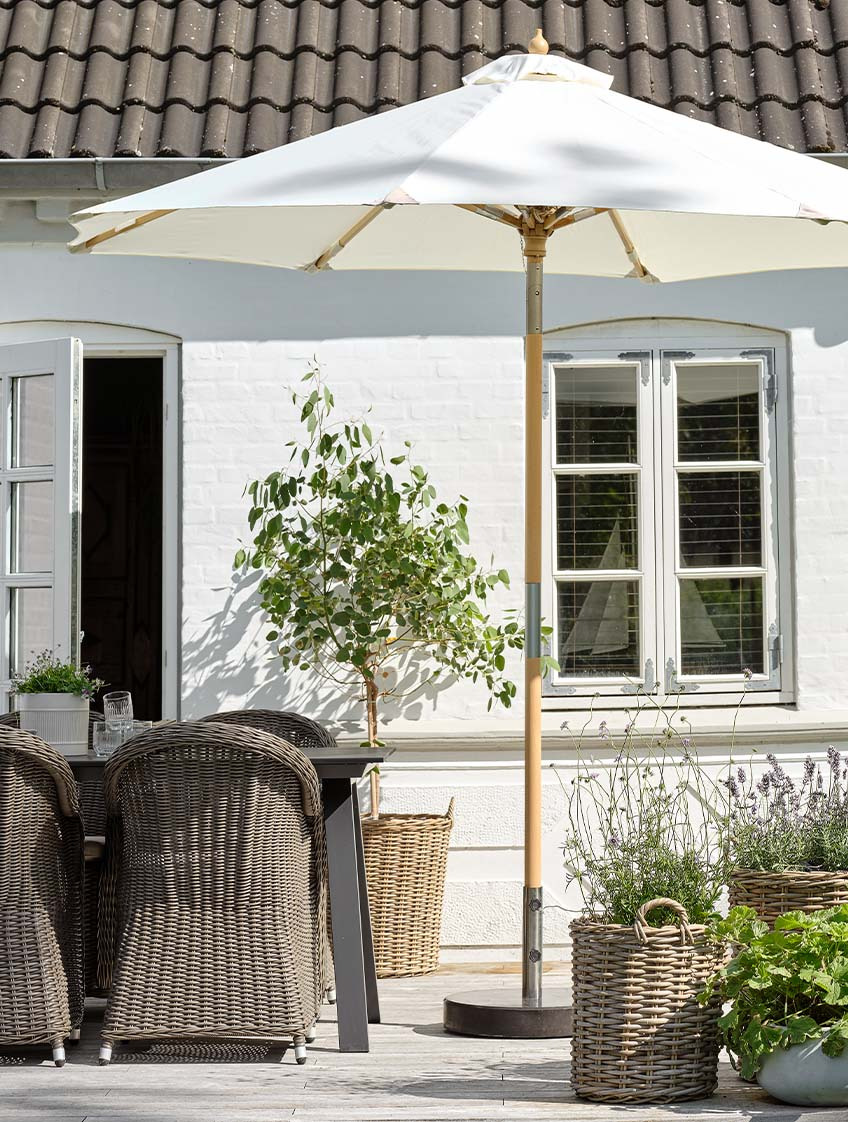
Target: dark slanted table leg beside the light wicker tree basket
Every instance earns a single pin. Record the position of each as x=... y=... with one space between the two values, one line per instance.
x=342 y=853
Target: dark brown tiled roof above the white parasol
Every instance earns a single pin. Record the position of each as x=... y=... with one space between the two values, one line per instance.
x=193 y=78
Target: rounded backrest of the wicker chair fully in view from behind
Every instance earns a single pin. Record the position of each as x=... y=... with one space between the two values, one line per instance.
x=209 y=814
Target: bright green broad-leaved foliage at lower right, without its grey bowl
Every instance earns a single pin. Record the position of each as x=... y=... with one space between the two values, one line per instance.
x=785 y=986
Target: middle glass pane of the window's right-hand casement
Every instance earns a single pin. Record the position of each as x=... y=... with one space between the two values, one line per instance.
x=721 y=520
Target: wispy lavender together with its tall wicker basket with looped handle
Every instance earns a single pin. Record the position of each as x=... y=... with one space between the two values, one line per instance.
x=648 y=848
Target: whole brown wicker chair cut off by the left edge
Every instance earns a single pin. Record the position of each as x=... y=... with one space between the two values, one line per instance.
x=41 y=896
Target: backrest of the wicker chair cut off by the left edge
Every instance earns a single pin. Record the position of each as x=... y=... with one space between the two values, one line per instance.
x=41 y=830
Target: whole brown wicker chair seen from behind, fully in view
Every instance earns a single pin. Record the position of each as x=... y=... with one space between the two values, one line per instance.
x=215 y=890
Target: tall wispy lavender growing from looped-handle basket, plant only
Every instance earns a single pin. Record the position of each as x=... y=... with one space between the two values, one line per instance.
x=649 y=823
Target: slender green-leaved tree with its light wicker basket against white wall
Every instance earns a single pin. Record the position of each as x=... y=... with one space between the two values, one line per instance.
x=368 y=585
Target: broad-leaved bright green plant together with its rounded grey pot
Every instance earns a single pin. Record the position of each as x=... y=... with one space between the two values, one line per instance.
x=788 y=995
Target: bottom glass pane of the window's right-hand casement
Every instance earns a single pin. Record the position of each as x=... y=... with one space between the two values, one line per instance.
x=722 y=626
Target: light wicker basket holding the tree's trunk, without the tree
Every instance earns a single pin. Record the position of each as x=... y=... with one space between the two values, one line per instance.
x=407 y=857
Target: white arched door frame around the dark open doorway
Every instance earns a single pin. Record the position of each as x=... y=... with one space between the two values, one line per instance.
x=102 y=341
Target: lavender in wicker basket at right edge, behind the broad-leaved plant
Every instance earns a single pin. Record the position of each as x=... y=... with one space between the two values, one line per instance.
x=790 y=838
